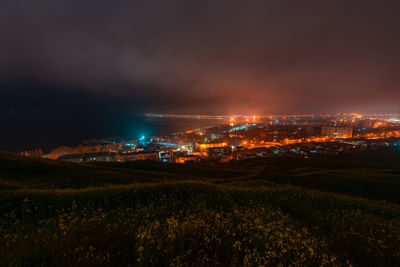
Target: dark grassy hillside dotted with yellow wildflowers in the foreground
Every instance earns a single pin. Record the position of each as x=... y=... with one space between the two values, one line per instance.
x=332 y=212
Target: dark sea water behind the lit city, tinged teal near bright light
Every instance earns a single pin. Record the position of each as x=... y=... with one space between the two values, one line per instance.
x=22 y=134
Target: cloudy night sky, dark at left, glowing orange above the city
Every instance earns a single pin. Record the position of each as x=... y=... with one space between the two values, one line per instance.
x=78 y=69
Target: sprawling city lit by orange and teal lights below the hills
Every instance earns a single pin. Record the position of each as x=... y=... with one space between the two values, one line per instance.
x=249 y=137
